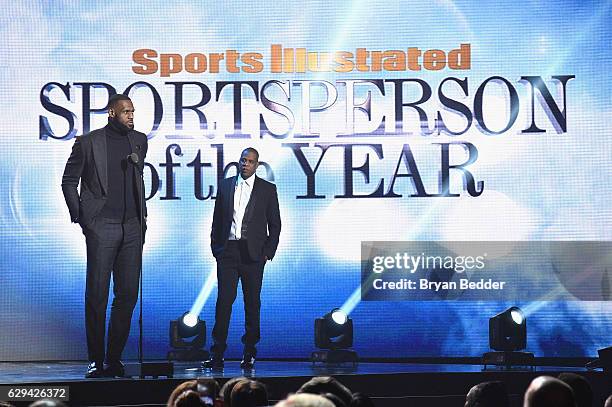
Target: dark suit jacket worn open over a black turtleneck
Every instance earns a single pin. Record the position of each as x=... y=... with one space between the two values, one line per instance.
x=87 y=164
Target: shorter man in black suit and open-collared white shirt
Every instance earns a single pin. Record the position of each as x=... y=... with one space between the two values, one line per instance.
x=245 y=232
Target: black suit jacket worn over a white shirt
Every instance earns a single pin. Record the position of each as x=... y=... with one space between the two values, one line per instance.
x=261 y=223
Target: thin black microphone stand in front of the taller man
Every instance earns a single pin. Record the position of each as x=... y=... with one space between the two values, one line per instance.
x=153 y=369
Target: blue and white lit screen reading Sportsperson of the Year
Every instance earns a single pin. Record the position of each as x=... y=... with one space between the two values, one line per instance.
x=359 y=110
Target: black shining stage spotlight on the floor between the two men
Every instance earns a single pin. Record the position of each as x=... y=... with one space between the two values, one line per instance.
x=187 y=338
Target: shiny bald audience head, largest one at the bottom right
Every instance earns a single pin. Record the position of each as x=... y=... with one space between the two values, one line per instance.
x=547 y=391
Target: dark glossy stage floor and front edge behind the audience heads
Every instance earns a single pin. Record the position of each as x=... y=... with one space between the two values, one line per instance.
x=389 y=384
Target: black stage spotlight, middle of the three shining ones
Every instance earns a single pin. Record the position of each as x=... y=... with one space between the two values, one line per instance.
x=334 y=337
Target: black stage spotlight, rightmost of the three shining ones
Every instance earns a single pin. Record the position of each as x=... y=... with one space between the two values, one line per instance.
x=508 y=337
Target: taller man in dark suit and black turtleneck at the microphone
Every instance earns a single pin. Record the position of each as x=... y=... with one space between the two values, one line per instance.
x=107 y=163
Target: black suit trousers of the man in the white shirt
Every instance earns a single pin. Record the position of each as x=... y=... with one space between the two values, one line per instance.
x=234 y=264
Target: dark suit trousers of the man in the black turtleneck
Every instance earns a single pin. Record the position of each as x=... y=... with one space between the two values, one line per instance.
x=113 y=248
